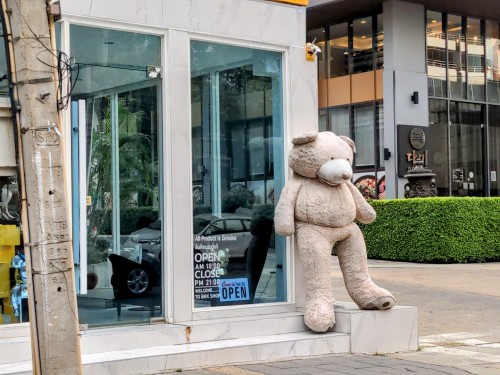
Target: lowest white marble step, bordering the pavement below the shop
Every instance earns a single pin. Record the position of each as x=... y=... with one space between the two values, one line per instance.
x=184 y=356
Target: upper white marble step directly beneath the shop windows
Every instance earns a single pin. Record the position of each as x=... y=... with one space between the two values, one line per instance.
x=17 y=348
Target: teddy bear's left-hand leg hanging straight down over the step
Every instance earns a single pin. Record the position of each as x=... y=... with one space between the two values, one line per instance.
x=315 y=253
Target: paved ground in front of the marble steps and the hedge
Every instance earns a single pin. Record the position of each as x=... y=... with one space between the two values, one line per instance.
x=459 y=324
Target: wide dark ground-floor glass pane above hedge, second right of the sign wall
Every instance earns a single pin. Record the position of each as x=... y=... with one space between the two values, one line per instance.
x=466 y=149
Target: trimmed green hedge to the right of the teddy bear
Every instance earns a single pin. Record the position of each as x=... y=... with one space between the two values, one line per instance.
x=435 y=230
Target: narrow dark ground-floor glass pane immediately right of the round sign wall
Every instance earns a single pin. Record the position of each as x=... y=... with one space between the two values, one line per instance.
x=437 y=144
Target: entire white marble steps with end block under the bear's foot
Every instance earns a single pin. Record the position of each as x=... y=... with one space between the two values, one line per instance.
x=150 y=348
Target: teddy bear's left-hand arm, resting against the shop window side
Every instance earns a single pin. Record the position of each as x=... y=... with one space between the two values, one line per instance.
x=284 y=215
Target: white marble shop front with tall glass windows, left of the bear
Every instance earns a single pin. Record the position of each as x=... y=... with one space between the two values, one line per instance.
x=177 y=118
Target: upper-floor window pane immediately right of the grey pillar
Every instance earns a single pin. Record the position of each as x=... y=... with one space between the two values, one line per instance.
x=436 y=55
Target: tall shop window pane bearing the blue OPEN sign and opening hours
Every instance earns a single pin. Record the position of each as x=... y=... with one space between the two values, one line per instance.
x=238 y=173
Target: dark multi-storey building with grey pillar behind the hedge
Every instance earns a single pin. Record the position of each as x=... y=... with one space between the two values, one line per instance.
x=393 y=70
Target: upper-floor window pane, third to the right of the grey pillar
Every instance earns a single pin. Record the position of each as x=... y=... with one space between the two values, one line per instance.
x=475 y=61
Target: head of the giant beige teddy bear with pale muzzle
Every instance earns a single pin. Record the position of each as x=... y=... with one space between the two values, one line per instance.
x=322 y=155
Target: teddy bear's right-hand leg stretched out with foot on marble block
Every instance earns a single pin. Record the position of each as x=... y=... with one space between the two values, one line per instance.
x=353 y=263
